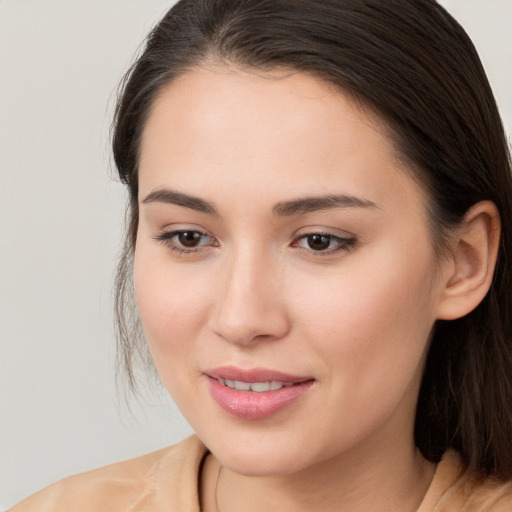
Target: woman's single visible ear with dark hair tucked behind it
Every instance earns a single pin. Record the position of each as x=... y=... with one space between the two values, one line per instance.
x=468 y=271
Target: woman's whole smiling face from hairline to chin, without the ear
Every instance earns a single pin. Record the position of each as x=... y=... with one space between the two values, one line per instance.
x=282 y=249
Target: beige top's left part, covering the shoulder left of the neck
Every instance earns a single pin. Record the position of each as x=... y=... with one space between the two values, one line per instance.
x=162 y=480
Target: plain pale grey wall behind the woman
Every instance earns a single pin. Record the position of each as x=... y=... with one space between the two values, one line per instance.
x=61 y=222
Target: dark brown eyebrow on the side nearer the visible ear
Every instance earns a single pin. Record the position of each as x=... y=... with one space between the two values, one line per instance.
x=317 y=203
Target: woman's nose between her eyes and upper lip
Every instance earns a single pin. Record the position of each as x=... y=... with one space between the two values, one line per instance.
x=250 y=305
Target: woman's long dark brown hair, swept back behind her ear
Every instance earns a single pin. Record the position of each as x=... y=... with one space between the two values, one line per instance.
x=413 y=65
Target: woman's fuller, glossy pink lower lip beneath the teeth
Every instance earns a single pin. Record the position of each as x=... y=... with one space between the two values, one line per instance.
x=251 y=405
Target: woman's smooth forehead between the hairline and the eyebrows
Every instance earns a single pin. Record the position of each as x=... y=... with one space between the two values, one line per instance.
x=224 y=128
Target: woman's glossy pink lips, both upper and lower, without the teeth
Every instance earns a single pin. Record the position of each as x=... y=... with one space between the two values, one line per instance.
x=249 y=404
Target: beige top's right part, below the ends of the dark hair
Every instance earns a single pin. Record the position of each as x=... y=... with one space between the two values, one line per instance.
x=456 y=489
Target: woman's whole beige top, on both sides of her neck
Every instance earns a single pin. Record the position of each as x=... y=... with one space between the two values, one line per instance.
x=167 y=481
